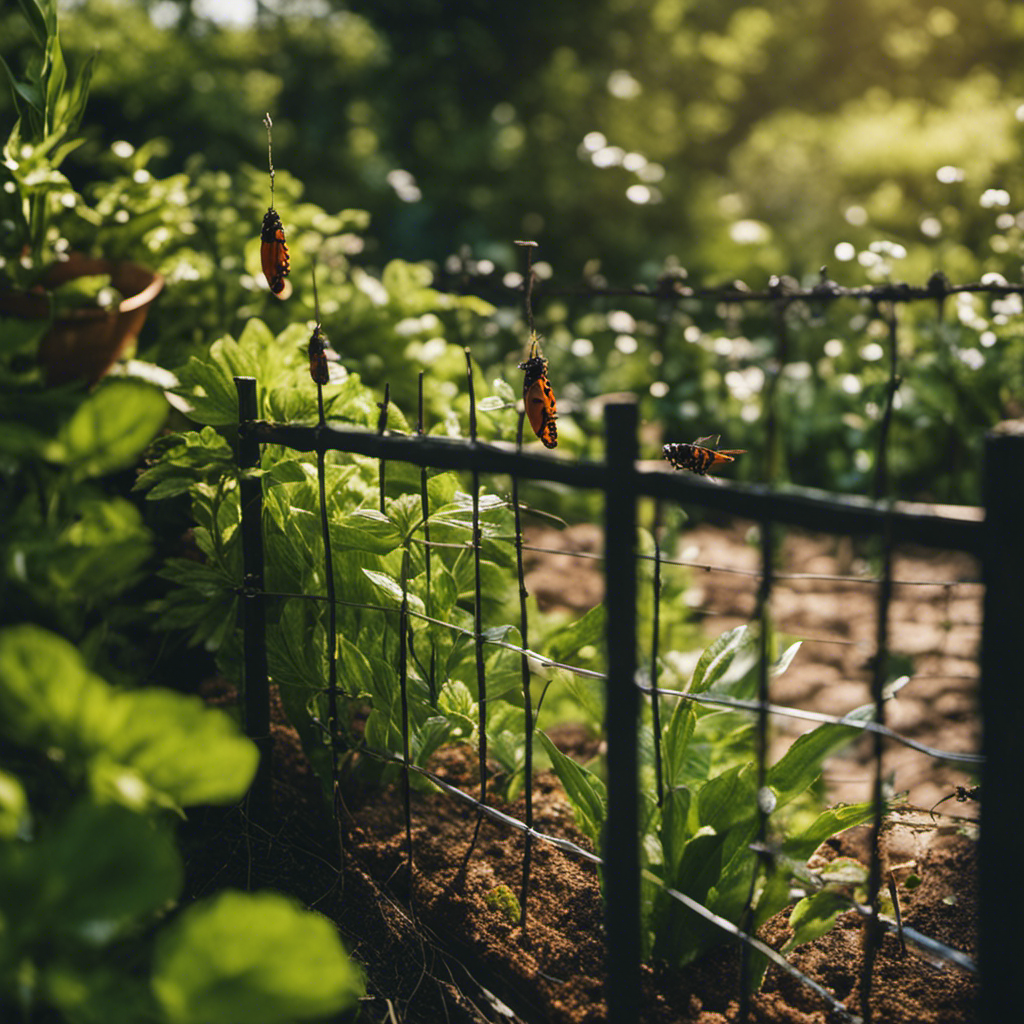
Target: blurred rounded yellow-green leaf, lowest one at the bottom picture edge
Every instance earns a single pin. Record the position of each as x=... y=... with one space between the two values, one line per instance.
x=240 y=958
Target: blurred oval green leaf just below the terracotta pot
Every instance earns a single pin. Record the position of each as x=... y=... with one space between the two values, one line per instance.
x=110 y=430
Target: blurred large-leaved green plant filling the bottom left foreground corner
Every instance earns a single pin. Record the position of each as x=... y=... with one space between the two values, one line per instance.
x=91 y=781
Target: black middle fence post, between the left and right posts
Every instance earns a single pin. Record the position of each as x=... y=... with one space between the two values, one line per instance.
x=622 y=855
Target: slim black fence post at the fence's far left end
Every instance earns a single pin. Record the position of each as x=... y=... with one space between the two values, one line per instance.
x=258 y=688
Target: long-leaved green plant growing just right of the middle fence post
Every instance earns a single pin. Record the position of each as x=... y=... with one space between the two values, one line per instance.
x=698 y=842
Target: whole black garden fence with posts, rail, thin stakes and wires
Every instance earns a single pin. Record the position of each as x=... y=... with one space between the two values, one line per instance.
x=998 y=541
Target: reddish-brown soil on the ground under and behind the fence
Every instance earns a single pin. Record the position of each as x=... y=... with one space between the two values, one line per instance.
x=433 y=949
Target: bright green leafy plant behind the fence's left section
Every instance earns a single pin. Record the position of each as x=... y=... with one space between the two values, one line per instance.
x=377 y=559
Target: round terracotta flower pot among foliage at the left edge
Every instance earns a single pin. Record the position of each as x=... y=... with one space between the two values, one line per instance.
x=83 y=345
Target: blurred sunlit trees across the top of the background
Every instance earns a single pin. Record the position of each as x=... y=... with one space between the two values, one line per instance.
x=733 y=139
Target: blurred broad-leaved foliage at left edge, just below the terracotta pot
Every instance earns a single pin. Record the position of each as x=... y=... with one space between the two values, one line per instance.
x=71 y=547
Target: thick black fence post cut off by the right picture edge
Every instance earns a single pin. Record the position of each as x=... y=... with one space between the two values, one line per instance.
x=1002 y=898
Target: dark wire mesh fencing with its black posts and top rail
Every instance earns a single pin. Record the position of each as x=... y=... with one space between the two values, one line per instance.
x=623 y=483
